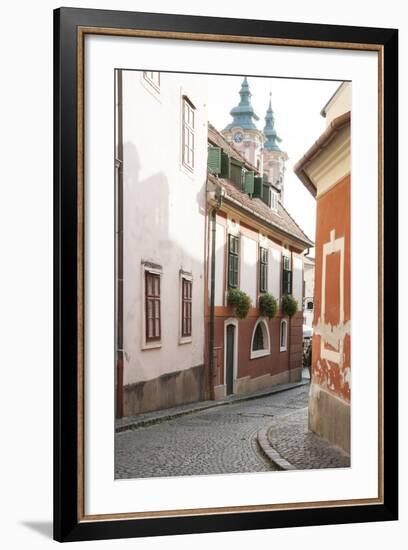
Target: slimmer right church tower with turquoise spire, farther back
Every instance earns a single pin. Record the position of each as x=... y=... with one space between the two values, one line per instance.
x=273 y=158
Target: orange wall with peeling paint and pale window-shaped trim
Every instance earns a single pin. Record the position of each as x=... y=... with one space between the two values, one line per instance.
x=333 y=213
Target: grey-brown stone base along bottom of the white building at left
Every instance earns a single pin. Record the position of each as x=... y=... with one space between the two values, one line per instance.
x=168 y=390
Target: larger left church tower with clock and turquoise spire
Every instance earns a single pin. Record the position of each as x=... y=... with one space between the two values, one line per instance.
x=242 y=131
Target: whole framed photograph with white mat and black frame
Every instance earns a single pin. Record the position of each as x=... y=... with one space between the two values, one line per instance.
x=225 y=274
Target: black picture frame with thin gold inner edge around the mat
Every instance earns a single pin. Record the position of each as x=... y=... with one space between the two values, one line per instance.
x=67 y=523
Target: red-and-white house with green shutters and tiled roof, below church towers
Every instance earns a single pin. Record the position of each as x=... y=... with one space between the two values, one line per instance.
x=258 y=248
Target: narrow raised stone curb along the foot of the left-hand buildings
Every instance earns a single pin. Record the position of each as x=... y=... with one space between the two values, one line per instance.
x=134 y=425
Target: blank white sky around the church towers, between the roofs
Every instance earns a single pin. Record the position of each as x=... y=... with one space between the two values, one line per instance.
x=296 y=105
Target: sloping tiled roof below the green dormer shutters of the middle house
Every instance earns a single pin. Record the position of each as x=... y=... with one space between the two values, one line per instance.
x=281 y=220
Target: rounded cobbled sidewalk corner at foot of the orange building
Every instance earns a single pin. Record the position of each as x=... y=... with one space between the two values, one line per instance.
x=290 y=437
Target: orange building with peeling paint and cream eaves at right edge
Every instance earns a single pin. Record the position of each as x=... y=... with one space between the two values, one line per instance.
x=325 y=171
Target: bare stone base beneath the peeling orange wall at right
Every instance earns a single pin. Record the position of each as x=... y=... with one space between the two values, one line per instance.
x=329 y=417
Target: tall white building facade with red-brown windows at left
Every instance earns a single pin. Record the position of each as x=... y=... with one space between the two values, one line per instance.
x=161 y=158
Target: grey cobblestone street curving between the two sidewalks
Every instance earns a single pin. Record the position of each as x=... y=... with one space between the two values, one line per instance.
x=214 y=441
